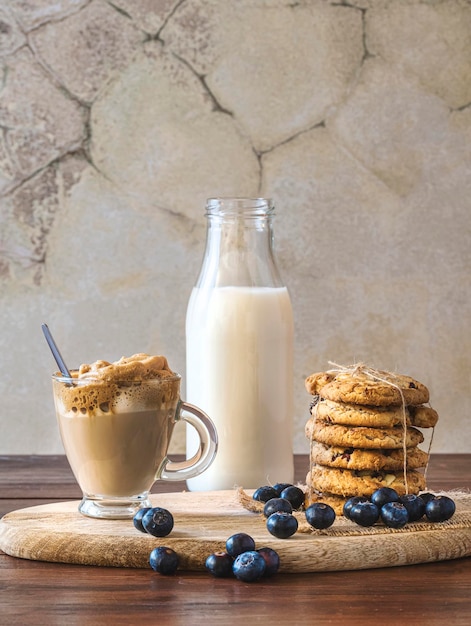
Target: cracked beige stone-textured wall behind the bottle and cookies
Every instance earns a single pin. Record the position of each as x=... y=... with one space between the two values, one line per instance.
x=118 y=119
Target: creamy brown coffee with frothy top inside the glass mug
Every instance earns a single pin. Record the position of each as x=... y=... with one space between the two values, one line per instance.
x=116 y=421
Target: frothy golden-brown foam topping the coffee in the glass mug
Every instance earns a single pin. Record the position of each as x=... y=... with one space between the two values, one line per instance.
x=134 y=383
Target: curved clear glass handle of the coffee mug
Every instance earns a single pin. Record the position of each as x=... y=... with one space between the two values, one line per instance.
x=173 y=470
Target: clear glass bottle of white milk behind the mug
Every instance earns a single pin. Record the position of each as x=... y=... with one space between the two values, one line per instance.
x=239 y=342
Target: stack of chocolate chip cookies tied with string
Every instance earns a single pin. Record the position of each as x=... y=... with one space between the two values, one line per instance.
x=364 y=434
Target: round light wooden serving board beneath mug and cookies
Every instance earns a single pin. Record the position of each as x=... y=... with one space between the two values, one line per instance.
x=204 y=520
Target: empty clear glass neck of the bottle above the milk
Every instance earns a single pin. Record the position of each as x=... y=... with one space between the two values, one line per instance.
x=239 y=244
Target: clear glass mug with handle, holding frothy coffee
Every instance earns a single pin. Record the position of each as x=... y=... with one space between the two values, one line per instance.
x=116 y=437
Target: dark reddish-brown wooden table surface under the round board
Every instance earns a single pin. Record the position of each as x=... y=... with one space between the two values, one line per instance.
x=34 y=592
